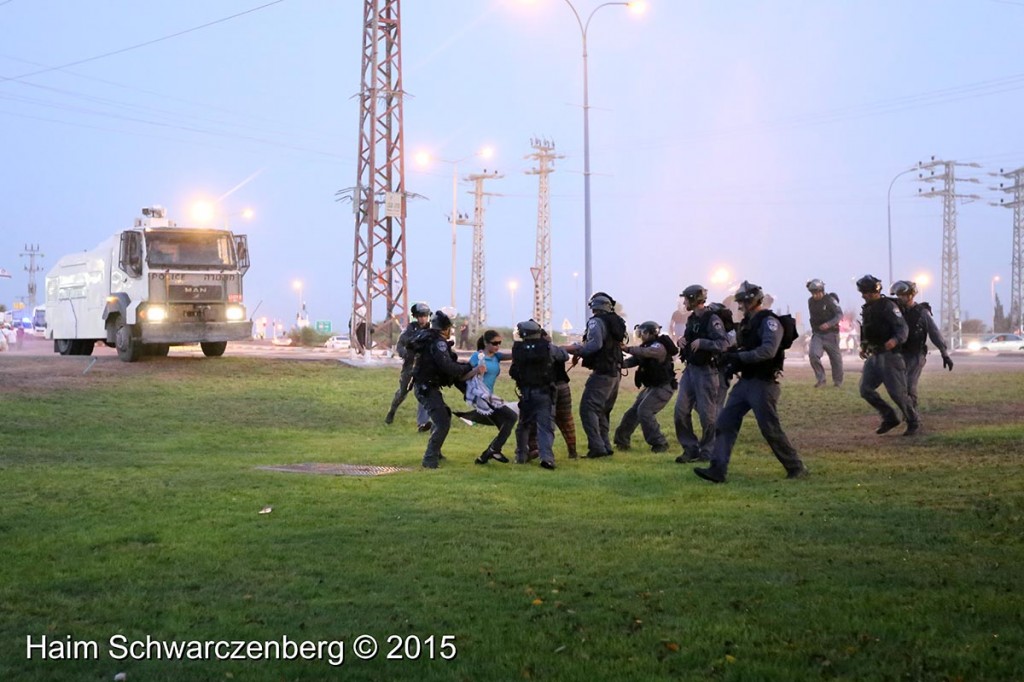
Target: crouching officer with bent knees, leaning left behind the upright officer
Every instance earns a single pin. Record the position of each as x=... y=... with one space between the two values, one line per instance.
x=656 y=377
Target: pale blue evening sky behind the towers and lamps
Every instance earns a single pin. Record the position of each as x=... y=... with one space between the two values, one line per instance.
x=761 y=138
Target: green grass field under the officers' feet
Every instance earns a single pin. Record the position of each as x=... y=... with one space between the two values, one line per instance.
x=132 y=505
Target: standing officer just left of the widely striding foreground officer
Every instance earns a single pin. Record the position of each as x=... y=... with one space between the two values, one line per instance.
x=704 y=342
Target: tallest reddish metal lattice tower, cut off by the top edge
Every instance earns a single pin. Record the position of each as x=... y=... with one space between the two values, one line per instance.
x=379 y=198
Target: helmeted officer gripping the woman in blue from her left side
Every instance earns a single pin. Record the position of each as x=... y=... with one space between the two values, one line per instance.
x=438 y=366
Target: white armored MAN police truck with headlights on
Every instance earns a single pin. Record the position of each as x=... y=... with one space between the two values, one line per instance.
x=150 y=288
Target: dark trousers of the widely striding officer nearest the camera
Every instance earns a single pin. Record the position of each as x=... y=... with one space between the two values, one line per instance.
x=761 y=397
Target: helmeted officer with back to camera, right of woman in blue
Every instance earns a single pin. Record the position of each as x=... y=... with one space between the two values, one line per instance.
x=533 y=369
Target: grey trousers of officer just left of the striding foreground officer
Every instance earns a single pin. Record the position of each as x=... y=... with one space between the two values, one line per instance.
x=699 y=388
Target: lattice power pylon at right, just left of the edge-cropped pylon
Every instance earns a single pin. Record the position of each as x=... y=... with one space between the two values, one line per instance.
x=951 y=318
